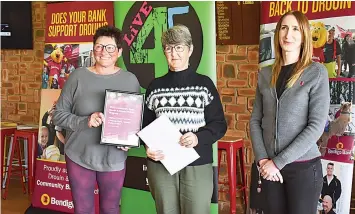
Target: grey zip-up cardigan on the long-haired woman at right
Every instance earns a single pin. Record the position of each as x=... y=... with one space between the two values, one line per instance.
x=286 y=130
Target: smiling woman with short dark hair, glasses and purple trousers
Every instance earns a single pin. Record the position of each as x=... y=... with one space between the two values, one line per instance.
x=79 y=110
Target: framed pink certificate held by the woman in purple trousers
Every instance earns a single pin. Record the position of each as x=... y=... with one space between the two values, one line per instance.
x=123 y=118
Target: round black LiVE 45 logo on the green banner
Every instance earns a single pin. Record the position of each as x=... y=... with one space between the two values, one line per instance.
x=142 y=30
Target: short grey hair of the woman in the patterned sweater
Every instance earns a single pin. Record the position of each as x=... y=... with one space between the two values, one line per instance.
x=178 y=34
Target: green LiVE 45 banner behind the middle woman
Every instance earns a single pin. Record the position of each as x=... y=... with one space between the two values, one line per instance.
x=142 y=24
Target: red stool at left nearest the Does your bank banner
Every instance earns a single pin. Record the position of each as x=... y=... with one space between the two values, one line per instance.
x=31 y=135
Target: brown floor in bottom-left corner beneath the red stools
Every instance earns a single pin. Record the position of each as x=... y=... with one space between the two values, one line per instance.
x=16 y=202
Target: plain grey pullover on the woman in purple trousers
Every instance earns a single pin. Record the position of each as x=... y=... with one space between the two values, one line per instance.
x=82 y=95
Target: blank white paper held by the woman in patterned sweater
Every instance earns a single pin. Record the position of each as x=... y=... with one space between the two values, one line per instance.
x=163 y=135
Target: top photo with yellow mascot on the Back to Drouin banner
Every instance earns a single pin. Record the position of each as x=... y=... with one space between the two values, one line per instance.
x=338 y=29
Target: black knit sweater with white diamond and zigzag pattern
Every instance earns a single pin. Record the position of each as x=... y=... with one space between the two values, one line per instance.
x=192 y=103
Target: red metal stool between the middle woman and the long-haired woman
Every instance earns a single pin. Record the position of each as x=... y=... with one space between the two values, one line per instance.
x=231 y=148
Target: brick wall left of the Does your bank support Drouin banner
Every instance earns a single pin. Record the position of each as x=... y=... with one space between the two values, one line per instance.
x=21 y=74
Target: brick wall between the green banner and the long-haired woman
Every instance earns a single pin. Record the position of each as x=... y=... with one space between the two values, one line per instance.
x=237 y=68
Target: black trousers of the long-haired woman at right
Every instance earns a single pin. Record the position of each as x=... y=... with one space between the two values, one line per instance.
x=300 y=191
